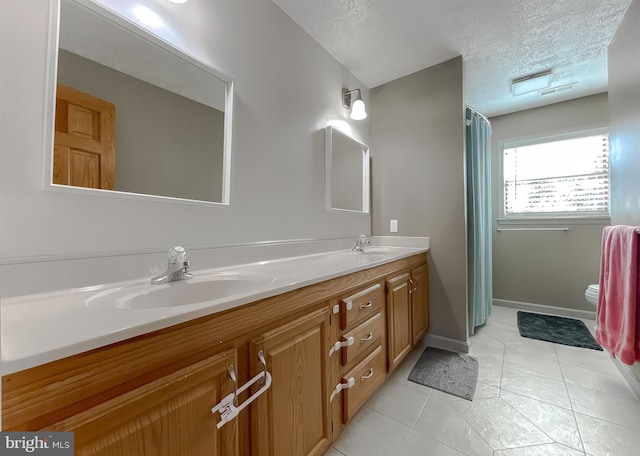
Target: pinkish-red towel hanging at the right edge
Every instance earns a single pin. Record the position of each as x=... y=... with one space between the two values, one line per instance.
x=618 y=316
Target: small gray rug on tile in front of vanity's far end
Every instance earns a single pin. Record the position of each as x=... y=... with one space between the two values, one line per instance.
x=446 y=371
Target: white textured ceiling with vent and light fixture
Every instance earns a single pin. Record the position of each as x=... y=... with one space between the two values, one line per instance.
x=500 y=40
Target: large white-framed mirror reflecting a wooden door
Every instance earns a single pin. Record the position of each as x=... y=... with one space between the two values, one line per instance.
x=134 y=115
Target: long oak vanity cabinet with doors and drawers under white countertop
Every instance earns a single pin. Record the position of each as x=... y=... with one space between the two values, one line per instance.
x=152 y=394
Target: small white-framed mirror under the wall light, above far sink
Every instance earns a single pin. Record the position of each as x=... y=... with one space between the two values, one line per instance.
x=346 y=172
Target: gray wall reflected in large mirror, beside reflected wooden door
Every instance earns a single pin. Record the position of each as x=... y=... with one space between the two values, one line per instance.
x=174 y=152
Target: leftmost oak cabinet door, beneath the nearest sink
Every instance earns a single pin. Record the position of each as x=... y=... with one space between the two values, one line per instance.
x=170 y=416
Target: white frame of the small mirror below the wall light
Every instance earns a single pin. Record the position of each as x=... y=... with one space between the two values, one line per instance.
x=329 y=131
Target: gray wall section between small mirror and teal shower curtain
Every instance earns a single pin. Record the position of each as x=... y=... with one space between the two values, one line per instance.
x=417 y=159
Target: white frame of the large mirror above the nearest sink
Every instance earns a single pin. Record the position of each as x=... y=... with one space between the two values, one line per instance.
x=152 y=39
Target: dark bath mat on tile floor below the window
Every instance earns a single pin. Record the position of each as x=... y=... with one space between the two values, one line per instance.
x=559 y=330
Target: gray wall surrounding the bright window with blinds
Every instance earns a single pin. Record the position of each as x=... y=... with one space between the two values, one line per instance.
x=551 y=268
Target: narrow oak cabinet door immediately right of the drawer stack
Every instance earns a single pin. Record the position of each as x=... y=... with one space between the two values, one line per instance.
x=399 y=329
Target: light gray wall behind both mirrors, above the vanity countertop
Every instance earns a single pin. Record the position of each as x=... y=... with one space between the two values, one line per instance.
x=287 y=89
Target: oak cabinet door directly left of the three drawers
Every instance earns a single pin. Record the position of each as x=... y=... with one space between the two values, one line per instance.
x=292 y=417
